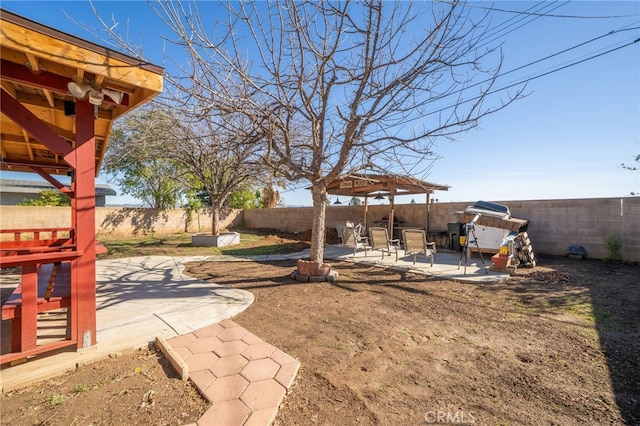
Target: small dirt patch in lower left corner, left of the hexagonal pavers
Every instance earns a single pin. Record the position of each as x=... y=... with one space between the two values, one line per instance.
x=137 y=388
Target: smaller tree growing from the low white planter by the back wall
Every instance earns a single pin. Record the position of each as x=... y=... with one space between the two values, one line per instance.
x=162 y=153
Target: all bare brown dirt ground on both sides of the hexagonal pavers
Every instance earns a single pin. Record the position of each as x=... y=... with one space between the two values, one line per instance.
x=557 y=344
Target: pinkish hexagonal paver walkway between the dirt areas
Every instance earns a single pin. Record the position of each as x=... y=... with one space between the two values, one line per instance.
x=244 y=377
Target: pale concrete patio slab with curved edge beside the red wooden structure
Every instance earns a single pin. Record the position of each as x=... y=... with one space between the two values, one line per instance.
x=138 y=299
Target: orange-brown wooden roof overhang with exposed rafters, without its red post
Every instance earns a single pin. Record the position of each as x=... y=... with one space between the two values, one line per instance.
x=37 y=63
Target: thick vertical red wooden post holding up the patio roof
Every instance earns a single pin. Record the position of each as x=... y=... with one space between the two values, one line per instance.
x=83 y=276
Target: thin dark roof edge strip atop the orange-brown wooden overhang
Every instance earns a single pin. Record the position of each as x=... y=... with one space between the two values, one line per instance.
x=5 y=15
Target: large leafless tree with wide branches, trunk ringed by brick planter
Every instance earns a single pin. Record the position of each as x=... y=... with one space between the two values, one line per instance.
x=335 y=87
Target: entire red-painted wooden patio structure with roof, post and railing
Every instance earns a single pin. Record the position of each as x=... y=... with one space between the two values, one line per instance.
x=60 y=96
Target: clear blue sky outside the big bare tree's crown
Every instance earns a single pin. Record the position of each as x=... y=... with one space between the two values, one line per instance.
x=566 y=139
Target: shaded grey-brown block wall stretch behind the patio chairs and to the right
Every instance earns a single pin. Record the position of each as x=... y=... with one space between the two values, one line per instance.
x=554 y=225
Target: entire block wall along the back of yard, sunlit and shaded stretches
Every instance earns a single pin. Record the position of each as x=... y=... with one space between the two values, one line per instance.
x=554 y=225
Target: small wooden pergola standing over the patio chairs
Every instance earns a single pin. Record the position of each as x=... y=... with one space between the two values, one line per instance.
x=370 y=185
